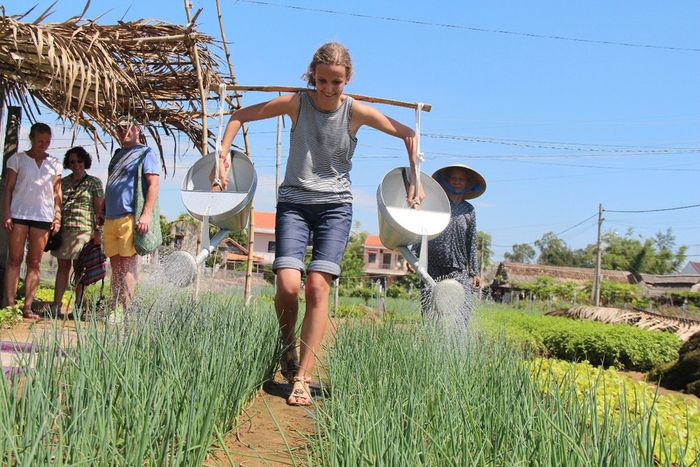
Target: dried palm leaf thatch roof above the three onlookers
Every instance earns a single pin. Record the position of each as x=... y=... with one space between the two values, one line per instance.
x=89 y=74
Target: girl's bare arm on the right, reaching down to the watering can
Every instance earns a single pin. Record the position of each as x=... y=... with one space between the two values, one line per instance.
x=366 y=115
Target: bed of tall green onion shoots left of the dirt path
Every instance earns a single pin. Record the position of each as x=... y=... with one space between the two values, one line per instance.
x=153 y=390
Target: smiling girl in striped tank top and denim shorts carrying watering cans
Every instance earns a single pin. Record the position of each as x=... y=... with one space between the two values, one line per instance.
x=315 y=198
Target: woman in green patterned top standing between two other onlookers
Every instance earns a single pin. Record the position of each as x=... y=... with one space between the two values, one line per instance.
x=81 y=219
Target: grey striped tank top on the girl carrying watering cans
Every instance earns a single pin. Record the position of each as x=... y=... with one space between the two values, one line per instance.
x=320 y=153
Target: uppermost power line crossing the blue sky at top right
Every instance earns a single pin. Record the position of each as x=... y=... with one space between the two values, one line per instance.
x=475 y=29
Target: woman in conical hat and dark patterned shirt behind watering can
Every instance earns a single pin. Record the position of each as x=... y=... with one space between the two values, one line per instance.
x=452 y=254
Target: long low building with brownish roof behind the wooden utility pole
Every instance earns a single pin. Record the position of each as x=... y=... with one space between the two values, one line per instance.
x=509 y=277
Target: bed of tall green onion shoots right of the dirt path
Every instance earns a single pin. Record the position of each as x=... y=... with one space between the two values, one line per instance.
x=404 y=395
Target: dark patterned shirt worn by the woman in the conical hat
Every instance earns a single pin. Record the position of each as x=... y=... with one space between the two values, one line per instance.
x=455 y=248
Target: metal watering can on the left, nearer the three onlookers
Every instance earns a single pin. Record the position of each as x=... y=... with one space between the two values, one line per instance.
x=229 y=210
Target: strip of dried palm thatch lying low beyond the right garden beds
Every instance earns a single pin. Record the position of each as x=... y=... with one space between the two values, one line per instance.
x=682 y=327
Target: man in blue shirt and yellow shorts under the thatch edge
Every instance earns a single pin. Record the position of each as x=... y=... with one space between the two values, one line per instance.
x=120 y=224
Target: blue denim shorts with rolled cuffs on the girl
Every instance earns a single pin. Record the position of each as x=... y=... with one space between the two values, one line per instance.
x=327 y=224
